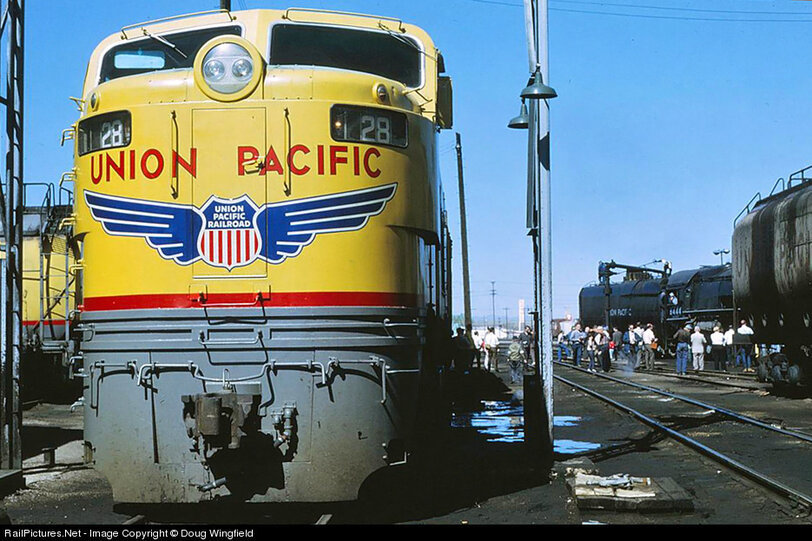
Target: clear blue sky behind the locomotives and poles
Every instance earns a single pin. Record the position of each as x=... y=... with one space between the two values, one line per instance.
x=664 y=128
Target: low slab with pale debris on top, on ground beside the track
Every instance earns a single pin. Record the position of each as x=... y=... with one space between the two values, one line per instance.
x=626 y=493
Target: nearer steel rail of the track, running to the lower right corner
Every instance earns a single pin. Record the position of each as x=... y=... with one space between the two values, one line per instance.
x=763 y=480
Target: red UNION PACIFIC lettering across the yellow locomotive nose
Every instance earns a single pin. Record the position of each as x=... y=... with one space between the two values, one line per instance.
x=324 y=160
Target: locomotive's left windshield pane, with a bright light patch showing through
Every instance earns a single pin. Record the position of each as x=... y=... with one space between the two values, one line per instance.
x=156 y=52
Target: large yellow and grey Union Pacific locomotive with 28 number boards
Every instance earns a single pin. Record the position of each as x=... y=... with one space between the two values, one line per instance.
x=265 y=257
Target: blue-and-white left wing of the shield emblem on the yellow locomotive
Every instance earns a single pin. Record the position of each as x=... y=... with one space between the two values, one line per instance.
x=171 y=229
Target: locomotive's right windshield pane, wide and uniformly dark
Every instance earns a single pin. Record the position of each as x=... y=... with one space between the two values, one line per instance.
x=388 y=55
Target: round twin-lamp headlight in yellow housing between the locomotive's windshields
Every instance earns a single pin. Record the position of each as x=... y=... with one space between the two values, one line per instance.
x=226 y=68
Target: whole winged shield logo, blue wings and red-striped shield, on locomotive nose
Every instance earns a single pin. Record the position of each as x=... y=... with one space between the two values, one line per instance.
x=233 y=233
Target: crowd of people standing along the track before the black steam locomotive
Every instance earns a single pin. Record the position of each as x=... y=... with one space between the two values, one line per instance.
x=637 y=346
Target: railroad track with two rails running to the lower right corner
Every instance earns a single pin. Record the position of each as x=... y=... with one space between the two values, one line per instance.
x=792 y=484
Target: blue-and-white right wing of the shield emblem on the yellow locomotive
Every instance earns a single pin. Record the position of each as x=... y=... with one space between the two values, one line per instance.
x=291 y=225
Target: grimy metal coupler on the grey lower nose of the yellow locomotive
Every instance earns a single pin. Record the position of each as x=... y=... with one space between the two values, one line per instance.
x=222 y=417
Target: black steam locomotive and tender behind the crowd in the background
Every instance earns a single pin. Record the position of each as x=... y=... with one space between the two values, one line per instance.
x=702 y=296
